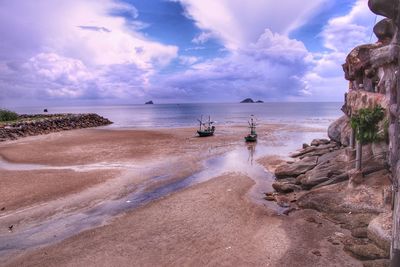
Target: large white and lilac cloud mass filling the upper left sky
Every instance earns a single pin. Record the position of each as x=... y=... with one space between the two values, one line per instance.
x=69 y=47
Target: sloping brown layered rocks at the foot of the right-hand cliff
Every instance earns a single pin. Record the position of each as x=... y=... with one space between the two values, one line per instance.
x=319 y=177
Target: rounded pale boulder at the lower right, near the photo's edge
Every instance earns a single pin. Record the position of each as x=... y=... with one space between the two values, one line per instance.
x=380 y=230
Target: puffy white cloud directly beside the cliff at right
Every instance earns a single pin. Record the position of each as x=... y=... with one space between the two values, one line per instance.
x=340 y=36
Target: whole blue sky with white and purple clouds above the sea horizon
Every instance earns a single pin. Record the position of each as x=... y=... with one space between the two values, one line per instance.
x=177 y=51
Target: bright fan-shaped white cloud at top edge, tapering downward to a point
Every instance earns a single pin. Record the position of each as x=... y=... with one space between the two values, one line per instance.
x=238 y=23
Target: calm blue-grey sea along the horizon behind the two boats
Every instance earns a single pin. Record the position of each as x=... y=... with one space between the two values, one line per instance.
x=312 y=114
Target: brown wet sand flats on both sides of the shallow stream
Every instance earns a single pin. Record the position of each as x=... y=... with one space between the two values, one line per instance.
x=212 y=223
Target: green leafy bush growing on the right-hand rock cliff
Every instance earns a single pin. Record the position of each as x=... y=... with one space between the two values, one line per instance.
x=365 y=124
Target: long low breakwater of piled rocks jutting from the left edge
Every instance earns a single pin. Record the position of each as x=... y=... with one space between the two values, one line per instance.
x=30 y=125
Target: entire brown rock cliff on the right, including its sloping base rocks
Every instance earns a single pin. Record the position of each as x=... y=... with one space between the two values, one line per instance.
x=323 y=175
